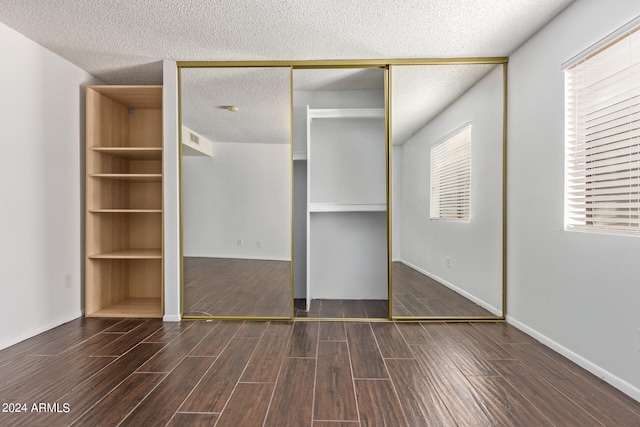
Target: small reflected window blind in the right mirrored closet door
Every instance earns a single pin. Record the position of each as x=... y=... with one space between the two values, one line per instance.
x=451 y=176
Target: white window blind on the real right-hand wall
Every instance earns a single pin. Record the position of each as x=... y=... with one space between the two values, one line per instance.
x=602 y=107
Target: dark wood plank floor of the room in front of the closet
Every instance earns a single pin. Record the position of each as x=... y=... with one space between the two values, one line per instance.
x=106 y=372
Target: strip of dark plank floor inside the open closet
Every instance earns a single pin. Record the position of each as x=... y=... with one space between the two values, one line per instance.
x=342 y=308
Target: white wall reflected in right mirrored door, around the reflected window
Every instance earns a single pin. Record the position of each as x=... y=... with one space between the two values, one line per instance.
x=474 y=248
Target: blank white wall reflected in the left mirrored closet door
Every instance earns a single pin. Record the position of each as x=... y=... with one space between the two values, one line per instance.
x=237 y=203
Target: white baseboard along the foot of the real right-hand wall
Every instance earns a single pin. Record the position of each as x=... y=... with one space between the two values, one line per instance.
x=596 y=370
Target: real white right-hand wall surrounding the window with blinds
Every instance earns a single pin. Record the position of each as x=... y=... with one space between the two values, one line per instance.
x=577 y=292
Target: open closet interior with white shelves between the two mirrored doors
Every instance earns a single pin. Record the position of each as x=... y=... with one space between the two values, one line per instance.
x=340 y=193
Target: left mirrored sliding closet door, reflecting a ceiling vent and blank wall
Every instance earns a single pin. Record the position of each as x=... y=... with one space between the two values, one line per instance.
x=236 y=192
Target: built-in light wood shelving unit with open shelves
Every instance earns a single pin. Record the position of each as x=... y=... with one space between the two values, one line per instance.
x=124 y=223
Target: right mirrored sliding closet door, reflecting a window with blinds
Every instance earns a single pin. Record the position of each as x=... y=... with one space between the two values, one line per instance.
x=447 y=126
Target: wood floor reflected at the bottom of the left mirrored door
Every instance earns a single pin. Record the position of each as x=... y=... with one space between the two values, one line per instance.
x=236 y=287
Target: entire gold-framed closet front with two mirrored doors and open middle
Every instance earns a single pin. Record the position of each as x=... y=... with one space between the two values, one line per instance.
x=316 y=191
